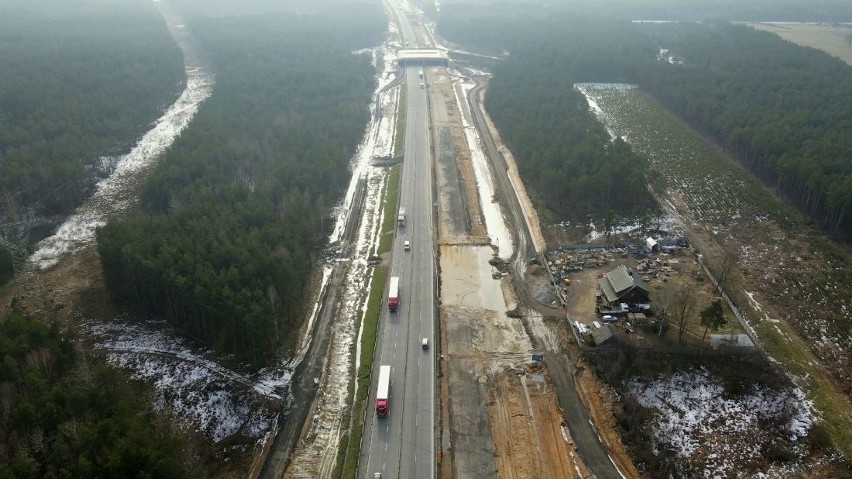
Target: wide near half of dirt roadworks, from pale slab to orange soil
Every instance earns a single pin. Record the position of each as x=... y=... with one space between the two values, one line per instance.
x=488 y=358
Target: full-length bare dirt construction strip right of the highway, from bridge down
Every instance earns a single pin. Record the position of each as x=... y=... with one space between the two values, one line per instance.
x=519 y=434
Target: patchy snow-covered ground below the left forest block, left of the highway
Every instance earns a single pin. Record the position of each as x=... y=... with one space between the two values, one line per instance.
x=211 y=398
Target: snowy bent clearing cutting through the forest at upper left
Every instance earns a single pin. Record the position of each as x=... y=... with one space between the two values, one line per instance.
x=115 y=195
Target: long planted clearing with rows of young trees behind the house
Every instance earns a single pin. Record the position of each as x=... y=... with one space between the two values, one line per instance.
x=792 y=284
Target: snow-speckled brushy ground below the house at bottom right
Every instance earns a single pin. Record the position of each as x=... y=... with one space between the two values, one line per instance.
x=716 y=432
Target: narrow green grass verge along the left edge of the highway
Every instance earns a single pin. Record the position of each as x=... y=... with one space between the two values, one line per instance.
x=350 y=447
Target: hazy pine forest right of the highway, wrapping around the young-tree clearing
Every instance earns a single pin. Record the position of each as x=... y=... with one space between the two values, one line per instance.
x=780 y=109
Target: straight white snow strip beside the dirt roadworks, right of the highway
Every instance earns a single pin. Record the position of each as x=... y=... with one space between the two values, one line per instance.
x=498 y=232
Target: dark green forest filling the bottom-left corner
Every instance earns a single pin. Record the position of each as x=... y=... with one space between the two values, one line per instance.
x=63 y=414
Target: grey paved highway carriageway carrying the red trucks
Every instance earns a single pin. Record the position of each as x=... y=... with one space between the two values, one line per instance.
x=403 y=444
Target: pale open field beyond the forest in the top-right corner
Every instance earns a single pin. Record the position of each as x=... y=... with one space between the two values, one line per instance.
x=828 y=38
